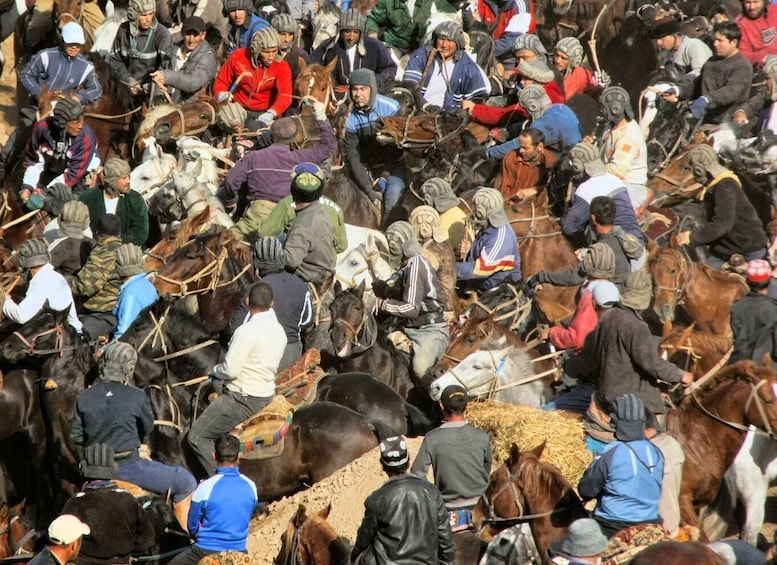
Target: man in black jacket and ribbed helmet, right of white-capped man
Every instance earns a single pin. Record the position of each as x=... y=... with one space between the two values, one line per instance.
x=142 y=46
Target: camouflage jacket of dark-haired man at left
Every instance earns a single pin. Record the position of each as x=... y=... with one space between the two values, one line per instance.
x=98 y=280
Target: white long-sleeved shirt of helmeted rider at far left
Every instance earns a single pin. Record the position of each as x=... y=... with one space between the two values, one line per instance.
x=47 y=284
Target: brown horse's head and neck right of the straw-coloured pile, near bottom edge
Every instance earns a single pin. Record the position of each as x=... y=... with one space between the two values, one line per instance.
x=524 y=489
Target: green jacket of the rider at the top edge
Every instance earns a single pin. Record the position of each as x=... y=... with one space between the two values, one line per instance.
x=392 y=21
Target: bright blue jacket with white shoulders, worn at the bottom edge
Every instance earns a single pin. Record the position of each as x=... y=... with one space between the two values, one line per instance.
x=221 y=510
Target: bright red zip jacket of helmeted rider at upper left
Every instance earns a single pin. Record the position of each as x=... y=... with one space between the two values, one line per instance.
x=265 y=89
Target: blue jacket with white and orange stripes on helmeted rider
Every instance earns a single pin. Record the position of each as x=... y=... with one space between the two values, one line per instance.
x=493 y=257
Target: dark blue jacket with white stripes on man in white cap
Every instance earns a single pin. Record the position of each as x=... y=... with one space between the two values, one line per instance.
x=57 y=71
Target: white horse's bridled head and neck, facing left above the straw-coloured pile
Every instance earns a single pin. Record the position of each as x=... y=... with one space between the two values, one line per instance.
x=499 y=368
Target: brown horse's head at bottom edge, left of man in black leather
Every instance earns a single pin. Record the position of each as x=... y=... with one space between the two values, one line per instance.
x=311 y=540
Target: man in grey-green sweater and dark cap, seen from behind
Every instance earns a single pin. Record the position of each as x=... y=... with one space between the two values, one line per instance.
x=460 y=455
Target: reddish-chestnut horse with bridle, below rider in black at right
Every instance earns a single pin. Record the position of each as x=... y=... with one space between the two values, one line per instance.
x=678 y=281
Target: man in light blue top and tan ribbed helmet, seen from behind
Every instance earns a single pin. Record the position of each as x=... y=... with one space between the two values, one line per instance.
x=136 y=292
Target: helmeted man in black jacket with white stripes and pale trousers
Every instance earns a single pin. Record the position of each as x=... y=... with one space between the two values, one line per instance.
x=414 y=294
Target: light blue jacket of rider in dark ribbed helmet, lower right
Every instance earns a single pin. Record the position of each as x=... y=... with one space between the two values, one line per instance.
x=626 y=481
